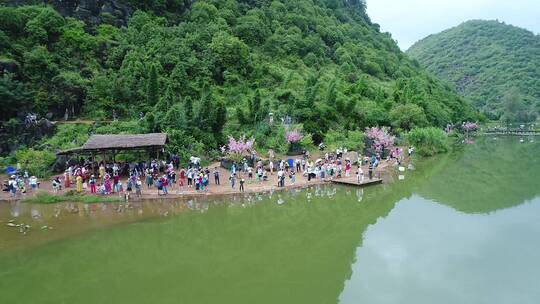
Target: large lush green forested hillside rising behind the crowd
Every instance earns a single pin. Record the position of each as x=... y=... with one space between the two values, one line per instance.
x=208 y=68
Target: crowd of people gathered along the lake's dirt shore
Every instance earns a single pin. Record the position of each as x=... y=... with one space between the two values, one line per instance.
x=168 y=176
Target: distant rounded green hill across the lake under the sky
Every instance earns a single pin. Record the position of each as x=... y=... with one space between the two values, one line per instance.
x=485 y=60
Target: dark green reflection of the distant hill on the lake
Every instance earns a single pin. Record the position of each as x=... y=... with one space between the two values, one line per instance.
x=484 y=177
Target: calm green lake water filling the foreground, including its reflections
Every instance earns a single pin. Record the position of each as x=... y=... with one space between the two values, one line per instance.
x=461 y=228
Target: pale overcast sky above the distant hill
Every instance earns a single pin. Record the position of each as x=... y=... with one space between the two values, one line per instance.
x=412 y=20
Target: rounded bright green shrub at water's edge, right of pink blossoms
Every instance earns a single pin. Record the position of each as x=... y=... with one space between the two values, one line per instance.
x=428 y=141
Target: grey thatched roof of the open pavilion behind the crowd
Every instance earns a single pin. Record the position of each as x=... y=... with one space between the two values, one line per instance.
x=120 y=142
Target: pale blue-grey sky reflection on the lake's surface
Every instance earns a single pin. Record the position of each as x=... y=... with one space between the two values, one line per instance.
x=445 y=256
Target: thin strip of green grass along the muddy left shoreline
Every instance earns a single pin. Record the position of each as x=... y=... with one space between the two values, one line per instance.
x=43 y=197
